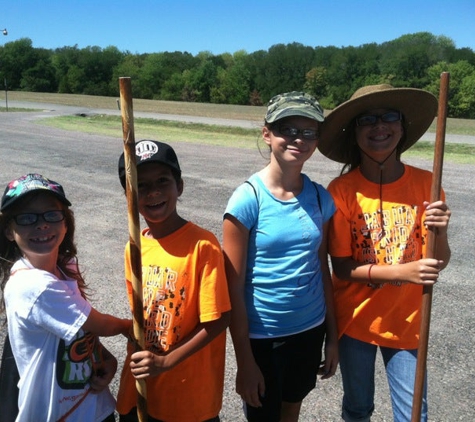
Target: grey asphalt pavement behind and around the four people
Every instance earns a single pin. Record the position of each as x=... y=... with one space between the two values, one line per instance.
x=87 y=166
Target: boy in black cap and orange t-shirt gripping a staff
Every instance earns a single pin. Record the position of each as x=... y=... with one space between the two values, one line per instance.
x=185 y=299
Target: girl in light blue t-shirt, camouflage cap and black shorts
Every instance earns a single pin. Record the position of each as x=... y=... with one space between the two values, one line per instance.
x=274 y=240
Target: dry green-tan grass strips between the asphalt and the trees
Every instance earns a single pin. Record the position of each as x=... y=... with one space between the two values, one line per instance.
x=172 y=131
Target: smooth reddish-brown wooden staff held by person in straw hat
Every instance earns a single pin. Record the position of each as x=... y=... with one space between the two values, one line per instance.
x=431 y=246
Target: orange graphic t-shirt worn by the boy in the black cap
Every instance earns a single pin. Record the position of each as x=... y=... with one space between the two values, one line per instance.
x=184 y=283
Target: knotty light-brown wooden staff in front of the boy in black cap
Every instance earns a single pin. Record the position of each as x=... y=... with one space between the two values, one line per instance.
x=127 y=112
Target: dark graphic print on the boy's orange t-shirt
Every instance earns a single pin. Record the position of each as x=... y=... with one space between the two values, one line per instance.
x=162 y=305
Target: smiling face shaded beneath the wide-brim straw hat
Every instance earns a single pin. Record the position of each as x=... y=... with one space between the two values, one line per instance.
x=381 y=138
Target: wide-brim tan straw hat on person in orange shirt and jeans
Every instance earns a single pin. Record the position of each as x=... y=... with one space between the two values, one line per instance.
x=418 y=107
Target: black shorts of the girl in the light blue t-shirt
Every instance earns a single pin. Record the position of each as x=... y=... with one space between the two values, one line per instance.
x=290 y=367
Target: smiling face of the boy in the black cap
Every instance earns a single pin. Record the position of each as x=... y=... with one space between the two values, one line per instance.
x=158 y=193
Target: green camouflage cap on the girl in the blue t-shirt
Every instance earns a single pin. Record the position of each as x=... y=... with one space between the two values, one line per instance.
x=293 y=103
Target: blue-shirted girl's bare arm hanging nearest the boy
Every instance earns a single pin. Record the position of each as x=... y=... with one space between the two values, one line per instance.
x=249 y=380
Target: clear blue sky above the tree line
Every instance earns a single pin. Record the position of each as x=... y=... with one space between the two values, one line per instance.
x=220 y=26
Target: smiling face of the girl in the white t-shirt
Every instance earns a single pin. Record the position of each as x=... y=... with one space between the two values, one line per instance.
x=40 y=241
